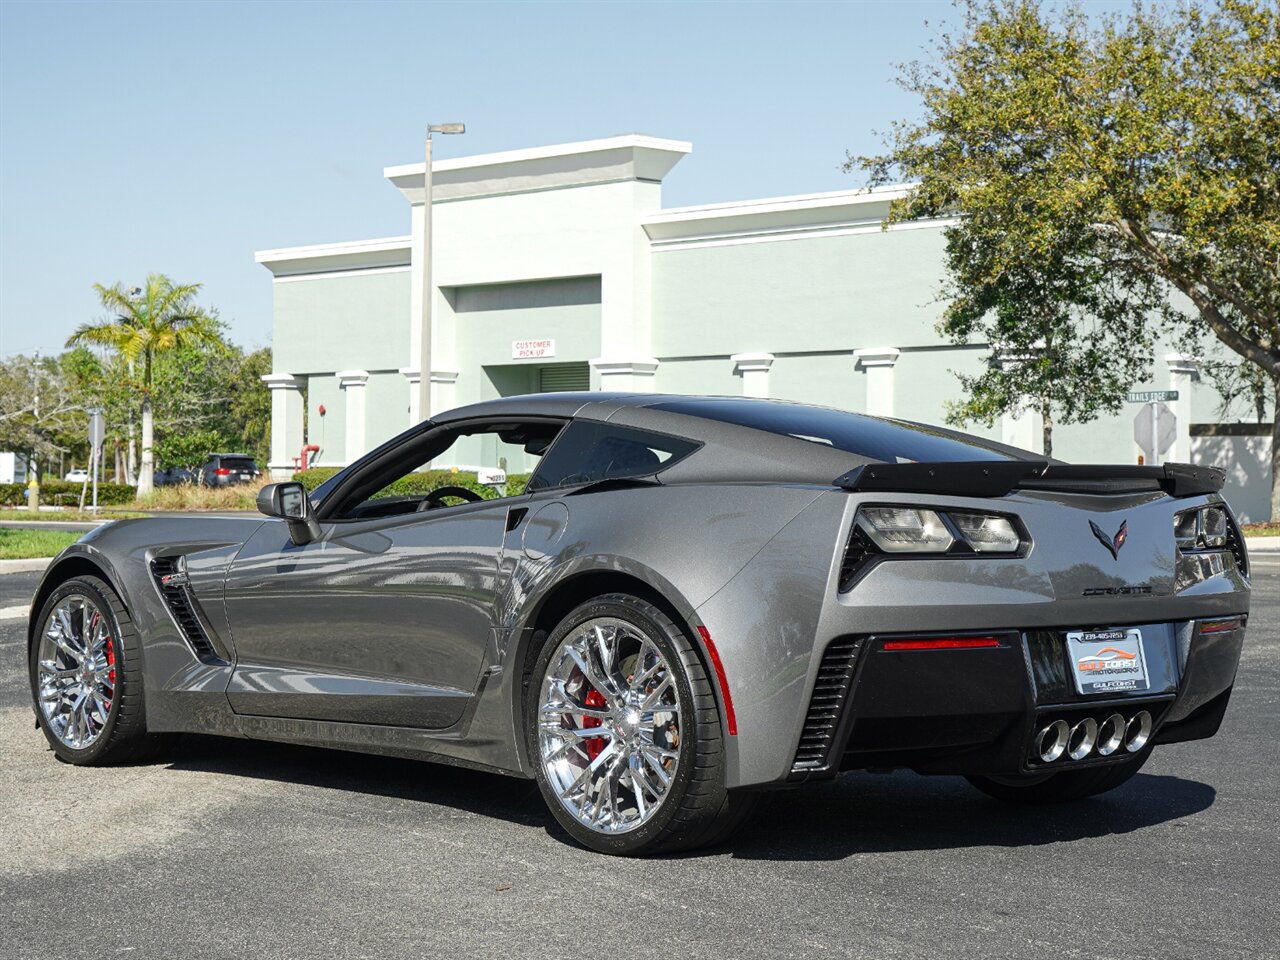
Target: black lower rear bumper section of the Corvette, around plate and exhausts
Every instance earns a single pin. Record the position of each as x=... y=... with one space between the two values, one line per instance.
x=979 y=711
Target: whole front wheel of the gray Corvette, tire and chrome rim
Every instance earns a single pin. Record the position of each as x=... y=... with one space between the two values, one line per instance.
x=86 y=676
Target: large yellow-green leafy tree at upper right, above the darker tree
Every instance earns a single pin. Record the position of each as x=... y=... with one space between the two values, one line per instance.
x=1142 y=152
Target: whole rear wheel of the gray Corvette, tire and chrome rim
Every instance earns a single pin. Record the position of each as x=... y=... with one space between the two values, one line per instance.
x=625 y=734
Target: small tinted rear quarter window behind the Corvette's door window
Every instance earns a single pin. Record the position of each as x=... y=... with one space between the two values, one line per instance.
x=589 y=451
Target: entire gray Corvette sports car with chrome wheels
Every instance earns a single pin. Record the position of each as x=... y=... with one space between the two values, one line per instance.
x=693 y=601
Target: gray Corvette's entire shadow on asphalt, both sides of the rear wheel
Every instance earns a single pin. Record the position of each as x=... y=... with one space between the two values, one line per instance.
x=858 y=813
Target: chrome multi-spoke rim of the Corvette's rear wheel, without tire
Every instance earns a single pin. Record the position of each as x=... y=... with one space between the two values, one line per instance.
x=609 y=725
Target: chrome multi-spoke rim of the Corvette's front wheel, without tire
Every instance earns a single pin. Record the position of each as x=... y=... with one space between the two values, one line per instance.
x=76 y=671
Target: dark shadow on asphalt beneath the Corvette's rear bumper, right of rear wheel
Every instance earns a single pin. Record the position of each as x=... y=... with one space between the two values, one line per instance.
x=866 y=813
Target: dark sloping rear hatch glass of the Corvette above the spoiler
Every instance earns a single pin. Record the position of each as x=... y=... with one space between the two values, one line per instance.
x=886 y=441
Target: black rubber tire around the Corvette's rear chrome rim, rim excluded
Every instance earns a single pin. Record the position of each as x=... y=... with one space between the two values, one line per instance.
x=697 y=810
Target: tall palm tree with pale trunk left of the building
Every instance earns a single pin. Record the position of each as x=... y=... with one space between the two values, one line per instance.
x=145 y=323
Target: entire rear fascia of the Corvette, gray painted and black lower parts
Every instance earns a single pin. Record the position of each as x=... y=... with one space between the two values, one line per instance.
x=971 y=711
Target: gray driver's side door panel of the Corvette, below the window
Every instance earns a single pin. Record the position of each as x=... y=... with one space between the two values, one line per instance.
x=378 y=621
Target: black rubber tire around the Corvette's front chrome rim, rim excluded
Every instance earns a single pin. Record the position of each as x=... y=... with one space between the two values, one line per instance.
x=125 y=735
